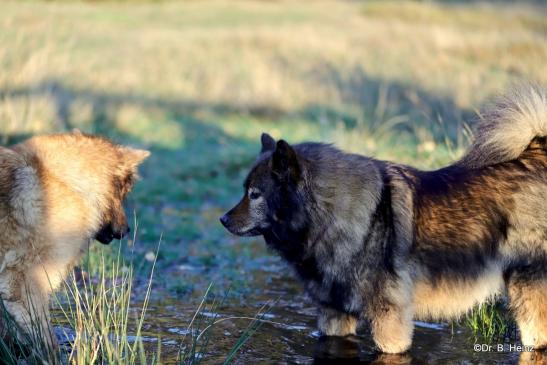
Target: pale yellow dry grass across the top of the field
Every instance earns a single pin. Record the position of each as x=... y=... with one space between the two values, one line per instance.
x=259 y=56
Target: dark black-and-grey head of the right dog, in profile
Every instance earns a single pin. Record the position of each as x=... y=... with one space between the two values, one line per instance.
x=272 y=191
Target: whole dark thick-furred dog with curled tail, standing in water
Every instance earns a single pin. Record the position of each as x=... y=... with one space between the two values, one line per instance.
x=389 y=243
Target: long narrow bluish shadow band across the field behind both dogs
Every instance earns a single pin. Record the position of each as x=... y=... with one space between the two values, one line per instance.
x=361 y=98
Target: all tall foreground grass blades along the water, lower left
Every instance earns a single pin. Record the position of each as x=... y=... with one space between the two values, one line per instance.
x=102 y=324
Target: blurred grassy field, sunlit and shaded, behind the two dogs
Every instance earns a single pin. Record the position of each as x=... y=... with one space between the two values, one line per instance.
x=197 y=82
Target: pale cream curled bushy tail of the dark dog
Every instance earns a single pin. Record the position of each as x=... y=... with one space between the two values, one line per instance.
x=507 y=127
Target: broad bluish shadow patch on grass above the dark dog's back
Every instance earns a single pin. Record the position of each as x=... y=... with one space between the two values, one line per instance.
x=378 y=100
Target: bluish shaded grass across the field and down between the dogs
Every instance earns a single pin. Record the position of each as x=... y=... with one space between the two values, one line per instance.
x=196 y=173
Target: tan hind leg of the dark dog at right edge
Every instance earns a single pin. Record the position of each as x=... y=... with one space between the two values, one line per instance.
x=527 y=287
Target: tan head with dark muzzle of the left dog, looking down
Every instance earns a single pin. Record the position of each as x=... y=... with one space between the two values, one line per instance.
x=96 y=176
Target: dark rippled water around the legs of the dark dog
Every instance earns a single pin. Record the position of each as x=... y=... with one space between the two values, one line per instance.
x=288 y=334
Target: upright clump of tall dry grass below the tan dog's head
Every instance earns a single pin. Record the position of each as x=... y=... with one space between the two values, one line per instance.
x=100 y=313
